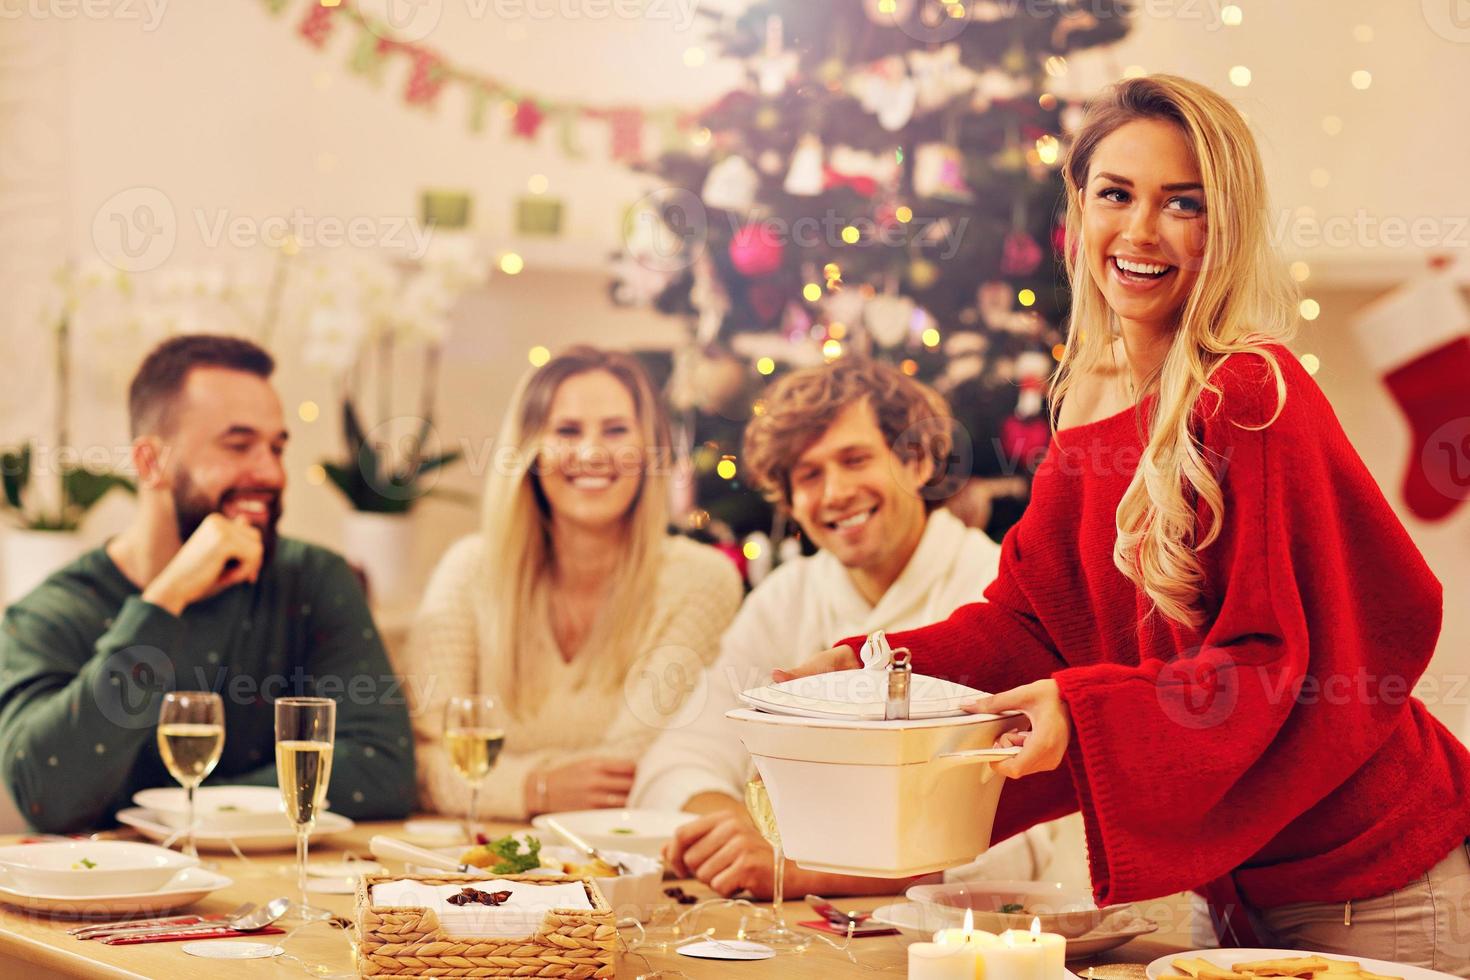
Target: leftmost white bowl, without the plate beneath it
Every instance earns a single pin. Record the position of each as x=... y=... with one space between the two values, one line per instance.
x=92 y=868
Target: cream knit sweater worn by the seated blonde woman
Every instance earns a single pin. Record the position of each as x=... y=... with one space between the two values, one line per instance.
x=449 y=653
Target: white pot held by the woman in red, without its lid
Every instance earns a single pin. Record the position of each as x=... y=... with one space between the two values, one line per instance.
x=880 y=799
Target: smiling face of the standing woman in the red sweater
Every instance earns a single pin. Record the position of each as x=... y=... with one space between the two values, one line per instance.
x=1144 y=221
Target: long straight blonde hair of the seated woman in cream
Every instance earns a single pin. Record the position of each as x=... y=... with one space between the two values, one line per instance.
x=517 y=528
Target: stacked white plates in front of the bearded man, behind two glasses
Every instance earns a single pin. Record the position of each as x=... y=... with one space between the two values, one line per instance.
x=254 y=818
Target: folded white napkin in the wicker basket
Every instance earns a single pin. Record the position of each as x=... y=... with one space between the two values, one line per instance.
x=518 y=919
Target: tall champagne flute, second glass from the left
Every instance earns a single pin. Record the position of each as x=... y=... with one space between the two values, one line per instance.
x=306 y=729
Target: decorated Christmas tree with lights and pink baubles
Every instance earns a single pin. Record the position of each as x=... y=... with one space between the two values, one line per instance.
x=886 y=184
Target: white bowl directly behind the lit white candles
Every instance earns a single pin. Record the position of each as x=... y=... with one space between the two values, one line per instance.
x=1064 y=910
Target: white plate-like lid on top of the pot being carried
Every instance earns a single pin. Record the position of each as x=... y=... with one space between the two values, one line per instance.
x=858 y=694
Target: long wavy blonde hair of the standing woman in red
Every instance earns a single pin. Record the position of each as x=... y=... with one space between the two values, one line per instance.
x=1241 y=302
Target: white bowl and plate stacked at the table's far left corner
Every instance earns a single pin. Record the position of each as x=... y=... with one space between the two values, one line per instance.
x=102 y=878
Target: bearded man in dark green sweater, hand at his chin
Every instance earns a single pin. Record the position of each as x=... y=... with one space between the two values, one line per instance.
x=198 y=594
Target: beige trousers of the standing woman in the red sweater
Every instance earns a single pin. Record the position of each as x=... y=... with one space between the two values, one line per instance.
x=1425 y=923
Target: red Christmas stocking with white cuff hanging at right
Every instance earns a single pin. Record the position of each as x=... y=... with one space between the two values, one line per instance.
x=1419 y=339
